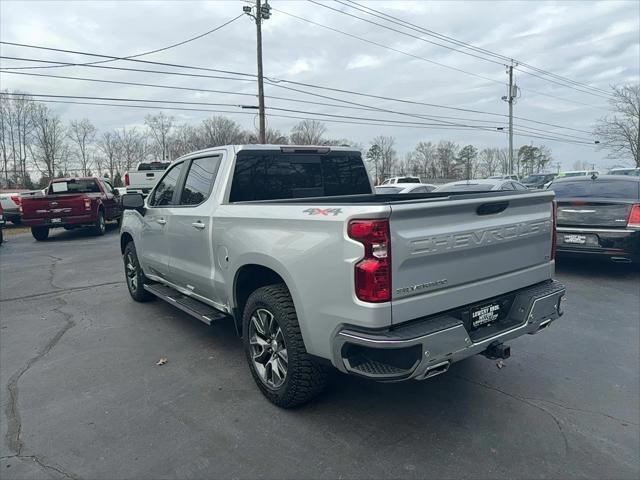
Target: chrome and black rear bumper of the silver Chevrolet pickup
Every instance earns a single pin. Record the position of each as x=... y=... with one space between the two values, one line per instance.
x=426 y=347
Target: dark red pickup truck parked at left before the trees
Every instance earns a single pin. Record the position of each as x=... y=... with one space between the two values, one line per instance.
x=72 y=203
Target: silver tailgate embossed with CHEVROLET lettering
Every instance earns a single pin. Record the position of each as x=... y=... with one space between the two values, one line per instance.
x=467 y=249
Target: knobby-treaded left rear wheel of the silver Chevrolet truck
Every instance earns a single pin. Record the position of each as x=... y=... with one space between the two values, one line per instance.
x=281 y=367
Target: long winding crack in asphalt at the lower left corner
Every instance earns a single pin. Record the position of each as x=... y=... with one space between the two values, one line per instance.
x=12 y=410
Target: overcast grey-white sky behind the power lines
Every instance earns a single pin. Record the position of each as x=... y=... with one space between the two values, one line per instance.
x=597 y=43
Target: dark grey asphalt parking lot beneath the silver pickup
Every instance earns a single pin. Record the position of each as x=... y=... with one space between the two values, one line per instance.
x=82 y=396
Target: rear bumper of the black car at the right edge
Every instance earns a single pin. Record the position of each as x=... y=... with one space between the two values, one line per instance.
x=611 y=243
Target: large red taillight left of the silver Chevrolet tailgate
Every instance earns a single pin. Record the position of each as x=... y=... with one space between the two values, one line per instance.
x=373 y=272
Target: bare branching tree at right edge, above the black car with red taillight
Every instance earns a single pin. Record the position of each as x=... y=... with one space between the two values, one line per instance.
x=619 y=132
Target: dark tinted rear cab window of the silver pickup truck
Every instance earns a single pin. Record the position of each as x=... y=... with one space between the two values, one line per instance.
x=273 y=175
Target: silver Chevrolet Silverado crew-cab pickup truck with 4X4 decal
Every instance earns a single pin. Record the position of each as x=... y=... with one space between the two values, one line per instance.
x=315 y=270
